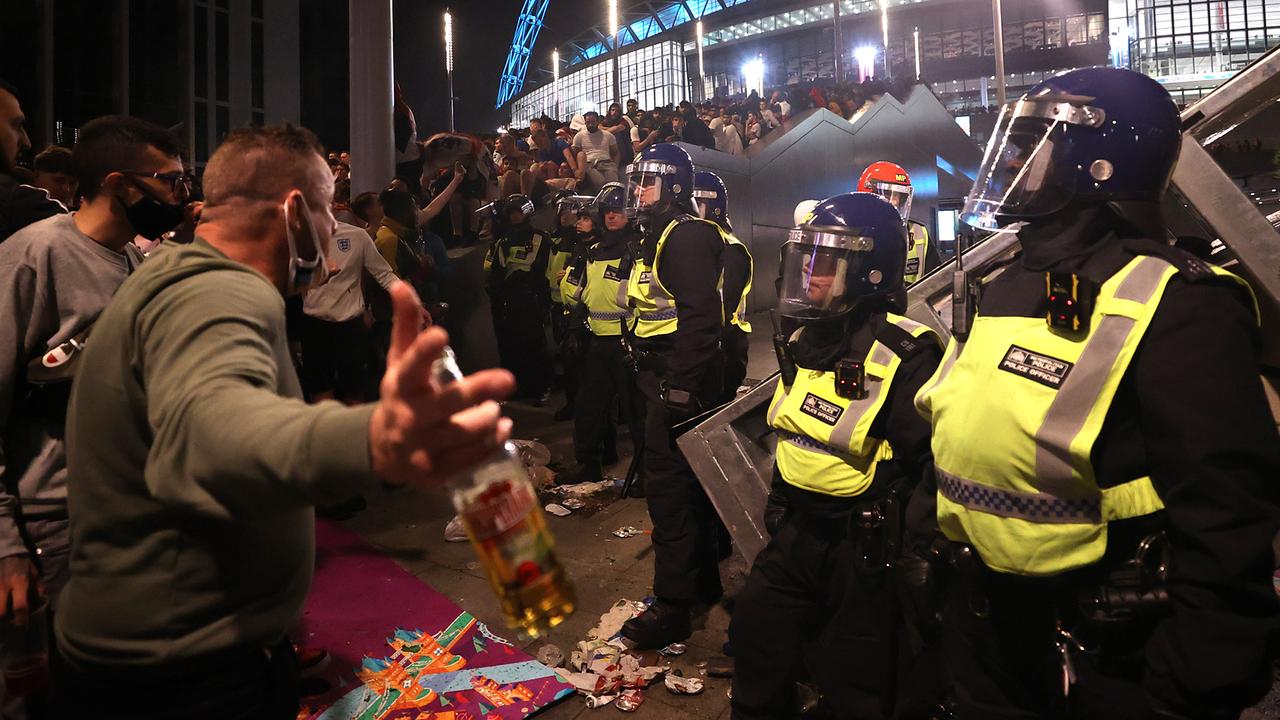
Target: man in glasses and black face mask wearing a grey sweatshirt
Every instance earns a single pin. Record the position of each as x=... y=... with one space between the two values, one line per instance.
x=61 y=274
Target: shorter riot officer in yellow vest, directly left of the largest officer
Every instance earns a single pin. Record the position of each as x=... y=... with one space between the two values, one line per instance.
x=851 y=449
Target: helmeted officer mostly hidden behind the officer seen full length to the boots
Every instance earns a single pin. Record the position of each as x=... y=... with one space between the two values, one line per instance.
x=711 y=200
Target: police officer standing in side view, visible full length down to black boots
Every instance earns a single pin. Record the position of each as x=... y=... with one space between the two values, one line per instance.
x=679 y=318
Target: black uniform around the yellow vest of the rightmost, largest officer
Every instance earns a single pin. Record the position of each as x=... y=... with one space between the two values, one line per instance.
x=1190 y=414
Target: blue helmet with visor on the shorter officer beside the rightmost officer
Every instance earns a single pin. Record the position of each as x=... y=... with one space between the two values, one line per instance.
x=851 y=249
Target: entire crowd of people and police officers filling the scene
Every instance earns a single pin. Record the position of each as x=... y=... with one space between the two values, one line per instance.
x=1067 y=511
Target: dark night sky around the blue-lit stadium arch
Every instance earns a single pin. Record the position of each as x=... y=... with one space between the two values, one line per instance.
x=482 y=39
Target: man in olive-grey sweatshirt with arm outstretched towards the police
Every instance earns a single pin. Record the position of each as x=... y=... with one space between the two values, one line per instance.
x=195 y=466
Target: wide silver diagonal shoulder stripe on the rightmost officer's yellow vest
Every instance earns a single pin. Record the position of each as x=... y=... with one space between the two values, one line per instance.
x=1080 y=393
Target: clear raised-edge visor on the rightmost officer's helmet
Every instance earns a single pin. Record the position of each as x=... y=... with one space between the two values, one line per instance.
x=1021 y=176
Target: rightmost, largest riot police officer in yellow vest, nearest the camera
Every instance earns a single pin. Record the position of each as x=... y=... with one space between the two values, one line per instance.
x=1105 y=458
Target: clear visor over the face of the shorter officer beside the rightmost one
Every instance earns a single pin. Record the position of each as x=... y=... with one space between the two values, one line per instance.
x=815 y=272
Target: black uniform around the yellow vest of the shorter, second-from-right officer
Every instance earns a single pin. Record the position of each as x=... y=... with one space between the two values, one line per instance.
x=811 y=584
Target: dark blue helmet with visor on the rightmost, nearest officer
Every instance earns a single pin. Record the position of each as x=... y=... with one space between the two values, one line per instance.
x=1101 y=135
